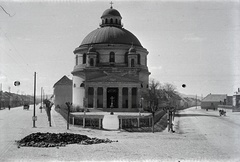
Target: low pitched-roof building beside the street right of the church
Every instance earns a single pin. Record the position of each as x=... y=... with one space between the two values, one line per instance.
x=212 y=101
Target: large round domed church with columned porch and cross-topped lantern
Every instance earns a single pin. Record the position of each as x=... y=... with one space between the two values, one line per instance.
x=110 y=69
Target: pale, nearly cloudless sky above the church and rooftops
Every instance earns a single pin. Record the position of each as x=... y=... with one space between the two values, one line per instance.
x=192 y=42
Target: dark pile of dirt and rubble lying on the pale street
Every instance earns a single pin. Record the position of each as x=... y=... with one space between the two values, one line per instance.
x=58 y=140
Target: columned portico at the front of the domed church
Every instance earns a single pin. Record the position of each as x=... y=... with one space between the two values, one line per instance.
x=107 y=95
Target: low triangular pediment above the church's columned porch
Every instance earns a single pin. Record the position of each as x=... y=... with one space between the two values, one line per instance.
x=113 y=78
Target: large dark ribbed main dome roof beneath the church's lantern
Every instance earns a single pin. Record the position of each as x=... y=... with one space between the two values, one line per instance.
x=111 y=35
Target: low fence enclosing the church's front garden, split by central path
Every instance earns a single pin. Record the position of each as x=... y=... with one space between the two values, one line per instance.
x=95 y=121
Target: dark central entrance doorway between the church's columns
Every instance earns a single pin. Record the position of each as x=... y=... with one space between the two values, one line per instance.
x=112 y=97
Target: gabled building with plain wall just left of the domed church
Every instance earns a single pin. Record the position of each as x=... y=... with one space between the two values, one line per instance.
x=62 y=91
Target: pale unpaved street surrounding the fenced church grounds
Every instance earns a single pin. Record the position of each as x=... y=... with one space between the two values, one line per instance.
x=200 y=136
